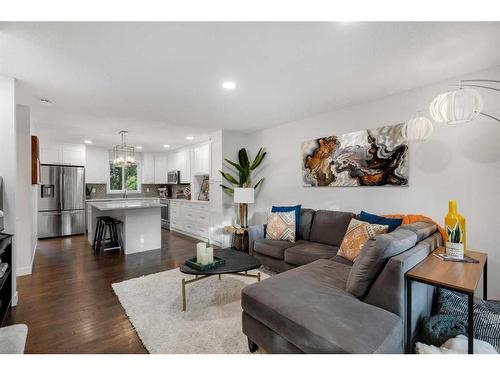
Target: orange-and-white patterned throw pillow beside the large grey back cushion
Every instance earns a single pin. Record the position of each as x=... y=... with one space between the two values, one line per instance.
x=358 y=232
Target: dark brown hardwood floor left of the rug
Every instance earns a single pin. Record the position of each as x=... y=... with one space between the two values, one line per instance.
x=68 y=303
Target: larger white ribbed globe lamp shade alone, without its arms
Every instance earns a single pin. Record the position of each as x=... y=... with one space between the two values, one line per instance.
x=457 y=106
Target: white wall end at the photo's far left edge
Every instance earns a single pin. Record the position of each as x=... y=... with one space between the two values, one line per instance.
x=8 y=161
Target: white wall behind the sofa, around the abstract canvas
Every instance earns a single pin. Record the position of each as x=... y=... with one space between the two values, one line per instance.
x=458 y=162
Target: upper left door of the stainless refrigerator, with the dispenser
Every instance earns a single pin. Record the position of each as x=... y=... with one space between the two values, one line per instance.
x=49 y=190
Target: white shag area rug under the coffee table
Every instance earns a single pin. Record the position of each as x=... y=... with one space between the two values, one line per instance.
x=211 y=323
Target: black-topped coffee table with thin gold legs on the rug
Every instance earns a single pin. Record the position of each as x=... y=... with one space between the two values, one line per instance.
x=237 y=263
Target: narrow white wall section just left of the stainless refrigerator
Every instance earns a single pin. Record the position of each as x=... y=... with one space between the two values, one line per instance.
x=25 y=194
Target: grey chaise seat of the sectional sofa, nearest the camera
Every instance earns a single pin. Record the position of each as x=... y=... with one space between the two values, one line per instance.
x=308 y=307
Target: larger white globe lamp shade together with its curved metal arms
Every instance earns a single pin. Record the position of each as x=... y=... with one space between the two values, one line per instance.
x=463 y=104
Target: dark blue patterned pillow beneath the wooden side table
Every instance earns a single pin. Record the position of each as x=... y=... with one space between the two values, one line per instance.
x=486 y=315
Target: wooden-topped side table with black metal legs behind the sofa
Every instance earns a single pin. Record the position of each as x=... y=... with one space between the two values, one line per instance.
x=455 y=276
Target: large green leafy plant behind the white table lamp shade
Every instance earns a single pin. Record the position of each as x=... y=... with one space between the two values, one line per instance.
x=244 y=169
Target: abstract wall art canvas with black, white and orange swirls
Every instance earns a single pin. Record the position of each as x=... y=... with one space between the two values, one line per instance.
x=374 y=157
